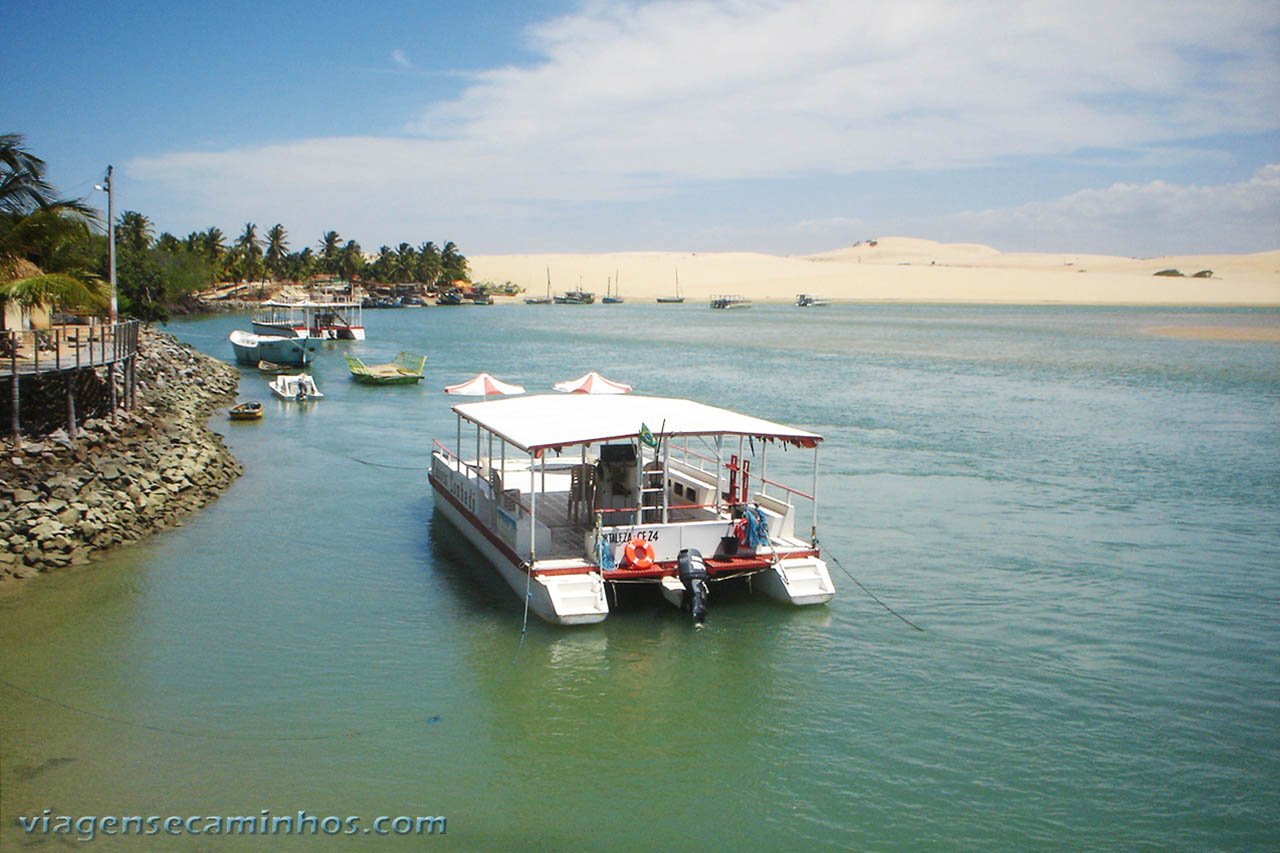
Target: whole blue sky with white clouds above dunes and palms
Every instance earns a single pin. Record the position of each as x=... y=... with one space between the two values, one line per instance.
x=789 y=127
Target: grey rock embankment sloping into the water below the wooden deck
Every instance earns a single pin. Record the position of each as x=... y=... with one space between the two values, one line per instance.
x=65 y=499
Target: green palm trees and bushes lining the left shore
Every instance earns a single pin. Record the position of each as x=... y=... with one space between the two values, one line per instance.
x=61 y=244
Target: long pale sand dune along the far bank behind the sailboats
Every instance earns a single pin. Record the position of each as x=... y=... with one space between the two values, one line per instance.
x=903 y=270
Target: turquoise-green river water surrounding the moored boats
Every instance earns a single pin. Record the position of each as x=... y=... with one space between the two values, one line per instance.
x=1084 y=518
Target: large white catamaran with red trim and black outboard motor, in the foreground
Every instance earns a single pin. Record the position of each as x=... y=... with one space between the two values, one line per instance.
x=570 y=495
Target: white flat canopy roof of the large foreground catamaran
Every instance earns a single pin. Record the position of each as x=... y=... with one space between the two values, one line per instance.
x=547 y=422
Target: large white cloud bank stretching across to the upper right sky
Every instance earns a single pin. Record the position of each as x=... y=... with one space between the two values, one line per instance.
x=639 y=102
